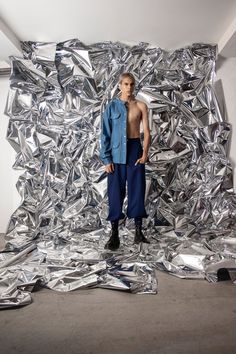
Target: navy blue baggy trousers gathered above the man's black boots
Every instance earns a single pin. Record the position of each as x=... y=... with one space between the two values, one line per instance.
x=136 y=184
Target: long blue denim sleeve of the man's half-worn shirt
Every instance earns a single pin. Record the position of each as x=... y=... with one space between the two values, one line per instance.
x=105 y=151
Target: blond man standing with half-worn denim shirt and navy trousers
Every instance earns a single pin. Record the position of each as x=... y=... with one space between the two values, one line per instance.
x=124 y=158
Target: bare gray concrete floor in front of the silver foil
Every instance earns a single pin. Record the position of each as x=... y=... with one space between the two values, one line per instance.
x=186 y=316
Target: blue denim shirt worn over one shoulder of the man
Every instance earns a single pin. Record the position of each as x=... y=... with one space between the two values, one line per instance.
x=114 y=132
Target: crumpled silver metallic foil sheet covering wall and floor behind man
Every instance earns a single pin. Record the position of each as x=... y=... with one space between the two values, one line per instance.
x=56 y=236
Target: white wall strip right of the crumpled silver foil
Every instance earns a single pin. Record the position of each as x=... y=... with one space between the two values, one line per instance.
x=226 y=82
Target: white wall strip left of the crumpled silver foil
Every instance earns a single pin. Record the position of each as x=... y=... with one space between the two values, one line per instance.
x=9 y=197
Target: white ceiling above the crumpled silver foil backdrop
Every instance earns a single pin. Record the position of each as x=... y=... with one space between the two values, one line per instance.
x=169 y=24
